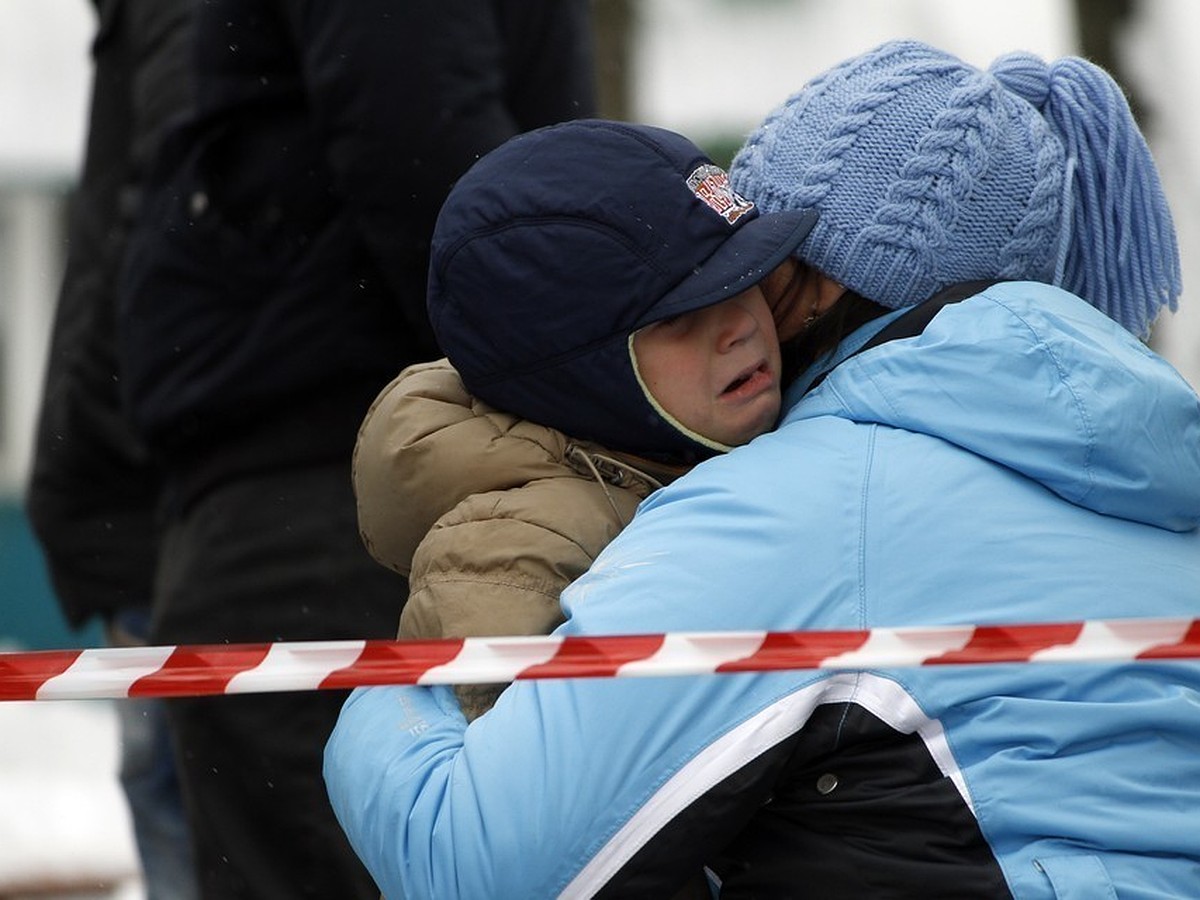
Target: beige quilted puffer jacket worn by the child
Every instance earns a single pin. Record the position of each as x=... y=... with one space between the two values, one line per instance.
x=489 y=515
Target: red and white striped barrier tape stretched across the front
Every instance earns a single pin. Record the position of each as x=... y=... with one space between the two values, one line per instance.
x=321 y=665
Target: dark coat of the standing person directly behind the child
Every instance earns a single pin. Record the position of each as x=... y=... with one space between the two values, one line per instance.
x=278 y=281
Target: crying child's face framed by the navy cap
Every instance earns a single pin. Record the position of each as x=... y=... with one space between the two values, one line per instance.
x=716 y=370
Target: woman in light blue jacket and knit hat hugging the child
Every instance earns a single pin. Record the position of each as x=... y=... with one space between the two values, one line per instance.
x=1024 y=459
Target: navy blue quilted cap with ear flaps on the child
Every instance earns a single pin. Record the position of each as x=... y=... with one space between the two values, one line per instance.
x=560 y=244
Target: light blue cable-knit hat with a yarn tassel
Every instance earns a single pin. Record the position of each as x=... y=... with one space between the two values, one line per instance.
x=928 y=172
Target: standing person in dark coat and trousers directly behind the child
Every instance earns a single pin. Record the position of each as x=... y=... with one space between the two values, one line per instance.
x=275 y=284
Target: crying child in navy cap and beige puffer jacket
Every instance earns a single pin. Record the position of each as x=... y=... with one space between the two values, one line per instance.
x=602 y=285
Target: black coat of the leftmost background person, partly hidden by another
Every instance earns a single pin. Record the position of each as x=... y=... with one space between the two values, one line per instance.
x=93 y=490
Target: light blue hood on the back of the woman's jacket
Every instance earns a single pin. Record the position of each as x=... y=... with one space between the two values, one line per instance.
x=1034 y=379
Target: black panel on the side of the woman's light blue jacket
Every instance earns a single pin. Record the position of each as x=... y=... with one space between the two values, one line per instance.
x=848 y=808
